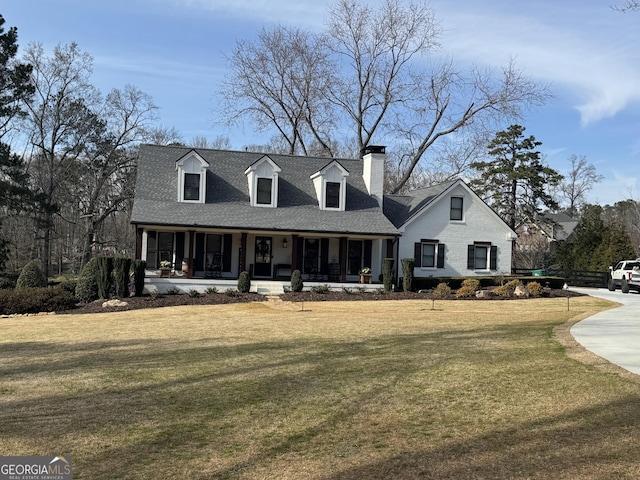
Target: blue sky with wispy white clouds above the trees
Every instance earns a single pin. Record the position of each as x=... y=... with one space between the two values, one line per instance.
x=175 y=51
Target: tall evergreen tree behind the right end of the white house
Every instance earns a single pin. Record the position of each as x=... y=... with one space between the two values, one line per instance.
x=515 y=182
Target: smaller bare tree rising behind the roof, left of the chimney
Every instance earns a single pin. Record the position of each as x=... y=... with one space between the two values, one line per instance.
x=278 y=83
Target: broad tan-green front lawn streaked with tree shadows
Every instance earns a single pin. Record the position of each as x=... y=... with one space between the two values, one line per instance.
x=341 y=390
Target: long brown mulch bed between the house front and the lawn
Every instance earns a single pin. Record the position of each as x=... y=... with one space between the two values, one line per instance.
x=134 y=303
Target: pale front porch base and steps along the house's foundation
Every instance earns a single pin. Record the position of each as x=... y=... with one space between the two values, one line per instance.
x=264 y=287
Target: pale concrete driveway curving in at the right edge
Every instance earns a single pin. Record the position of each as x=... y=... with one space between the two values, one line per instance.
x=614 y=334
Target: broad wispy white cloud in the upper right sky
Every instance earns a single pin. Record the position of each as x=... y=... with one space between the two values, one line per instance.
x=590 y=54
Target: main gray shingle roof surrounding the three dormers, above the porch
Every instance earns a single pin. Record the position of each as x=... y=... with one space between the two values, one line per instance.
x=227 y=202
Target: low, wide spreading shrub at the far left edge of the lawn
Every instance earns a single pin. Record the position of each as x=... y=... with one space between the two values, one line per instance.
x=35 y=300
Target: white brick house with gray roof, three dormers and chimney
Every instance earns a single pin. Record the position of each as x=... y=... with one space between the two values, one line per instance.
x=214 y=213
